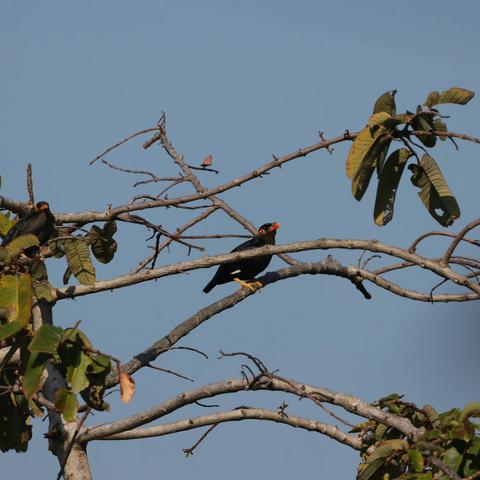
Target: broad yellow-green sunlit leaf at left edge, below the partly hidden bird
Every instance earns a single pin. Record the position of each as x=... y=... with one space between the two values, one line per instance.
x=16 y=297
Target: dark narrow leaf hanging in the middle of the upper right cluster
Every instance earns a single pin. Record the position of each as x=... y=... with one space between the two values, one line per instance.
x=388 y=185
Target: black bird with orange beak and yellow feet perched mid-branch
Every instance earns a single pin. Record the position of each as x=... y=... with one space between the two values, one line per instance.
x=250 y=268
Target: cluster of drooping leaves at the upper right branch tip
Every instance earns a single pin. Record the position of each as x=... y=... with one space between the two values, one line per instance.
x=370 y=148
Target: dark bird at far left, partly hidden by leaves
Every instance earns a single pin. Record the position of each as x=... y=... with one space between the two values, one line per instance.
x=39 y=222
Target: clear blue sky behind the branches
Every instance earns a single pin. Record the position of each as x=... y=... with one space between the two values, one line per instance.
x=243 y=80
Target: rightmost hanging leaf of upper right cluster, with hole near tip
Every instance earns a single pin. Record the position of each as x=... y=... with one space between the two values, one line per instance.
x=434 y=193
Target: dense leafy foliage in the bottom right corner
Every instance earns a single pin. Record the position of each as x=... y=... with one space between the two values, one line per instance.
x=450 y=438
